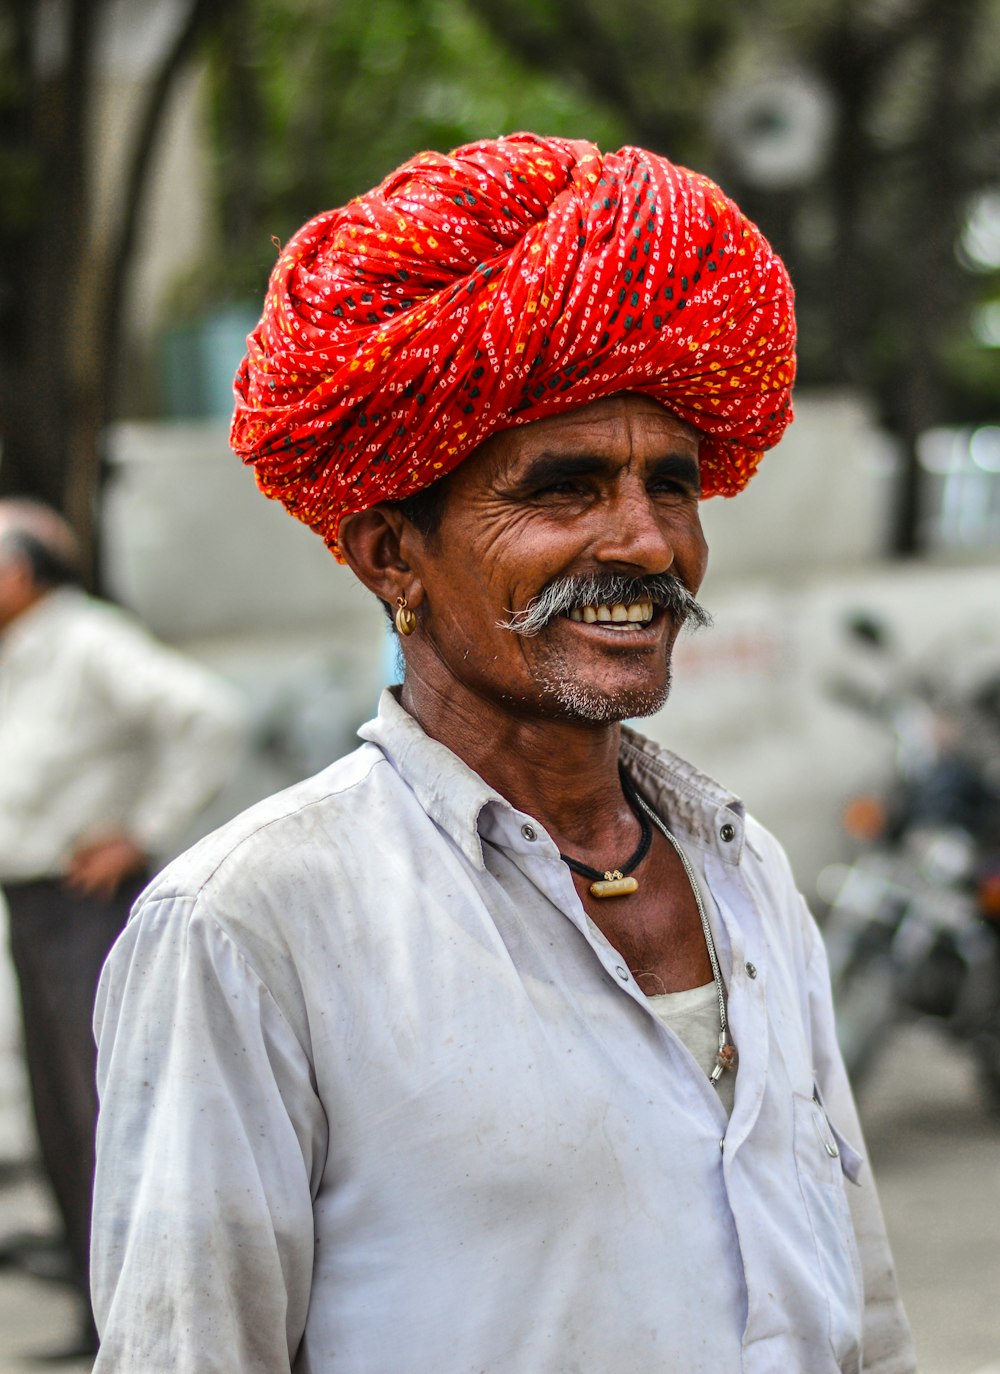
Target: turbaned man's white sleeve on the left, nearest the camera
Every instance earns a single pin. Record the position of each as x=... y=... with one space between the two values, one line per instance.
x=209 y=1147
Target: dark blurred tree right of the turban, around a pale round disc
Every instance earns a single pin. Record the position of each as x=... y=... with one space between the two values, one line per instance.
x=859 y=134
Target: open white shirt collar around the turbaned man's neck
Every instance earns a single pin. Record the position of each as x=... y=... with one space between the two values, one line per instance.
x=455 y=798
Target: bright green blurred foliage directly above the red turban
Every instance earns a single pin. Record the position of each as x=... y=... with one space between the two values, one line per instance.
x=315 y=102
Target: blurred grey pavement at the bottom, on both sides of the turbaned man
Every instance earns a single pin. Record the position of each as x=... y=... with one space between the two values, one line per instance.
x=933 y=1145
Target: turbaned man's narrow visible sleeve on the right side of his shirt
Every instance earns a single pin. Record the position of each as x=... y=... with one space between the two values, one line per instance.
x=888 y=1344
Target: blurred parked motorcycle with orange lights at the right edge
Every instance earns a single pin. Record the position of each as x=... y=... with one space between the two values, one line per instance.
x=913 y=925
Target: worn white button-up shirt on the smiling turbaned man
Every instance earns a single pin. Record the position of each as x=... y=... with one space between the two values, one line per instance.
x=378 y=1099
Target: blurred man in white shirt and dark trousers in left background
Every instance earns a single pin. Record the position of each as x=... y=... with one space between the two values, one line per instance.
x=111 y=744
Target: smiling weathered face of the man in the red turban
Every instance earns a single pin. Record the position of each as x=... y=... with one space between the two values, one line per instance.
x=612 y=488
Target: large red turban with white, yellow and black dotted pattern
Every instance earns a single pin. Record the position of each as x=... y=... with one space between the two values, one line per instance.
x=506 y=282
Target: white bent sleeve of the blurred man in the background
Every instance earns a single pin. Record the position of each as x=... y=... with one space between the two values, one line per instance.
x=193 y=726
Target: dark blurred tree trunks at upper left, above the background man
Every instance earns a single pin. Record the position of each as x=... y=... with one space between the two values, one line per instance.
x=61 y=369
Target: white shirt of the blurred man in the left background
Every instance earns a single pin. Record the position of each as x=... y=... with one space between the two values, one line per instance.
x=102 y=729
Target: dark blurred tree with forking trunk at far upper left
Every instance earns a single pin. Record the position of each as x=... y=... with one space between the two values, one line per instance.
x=62 y=277
